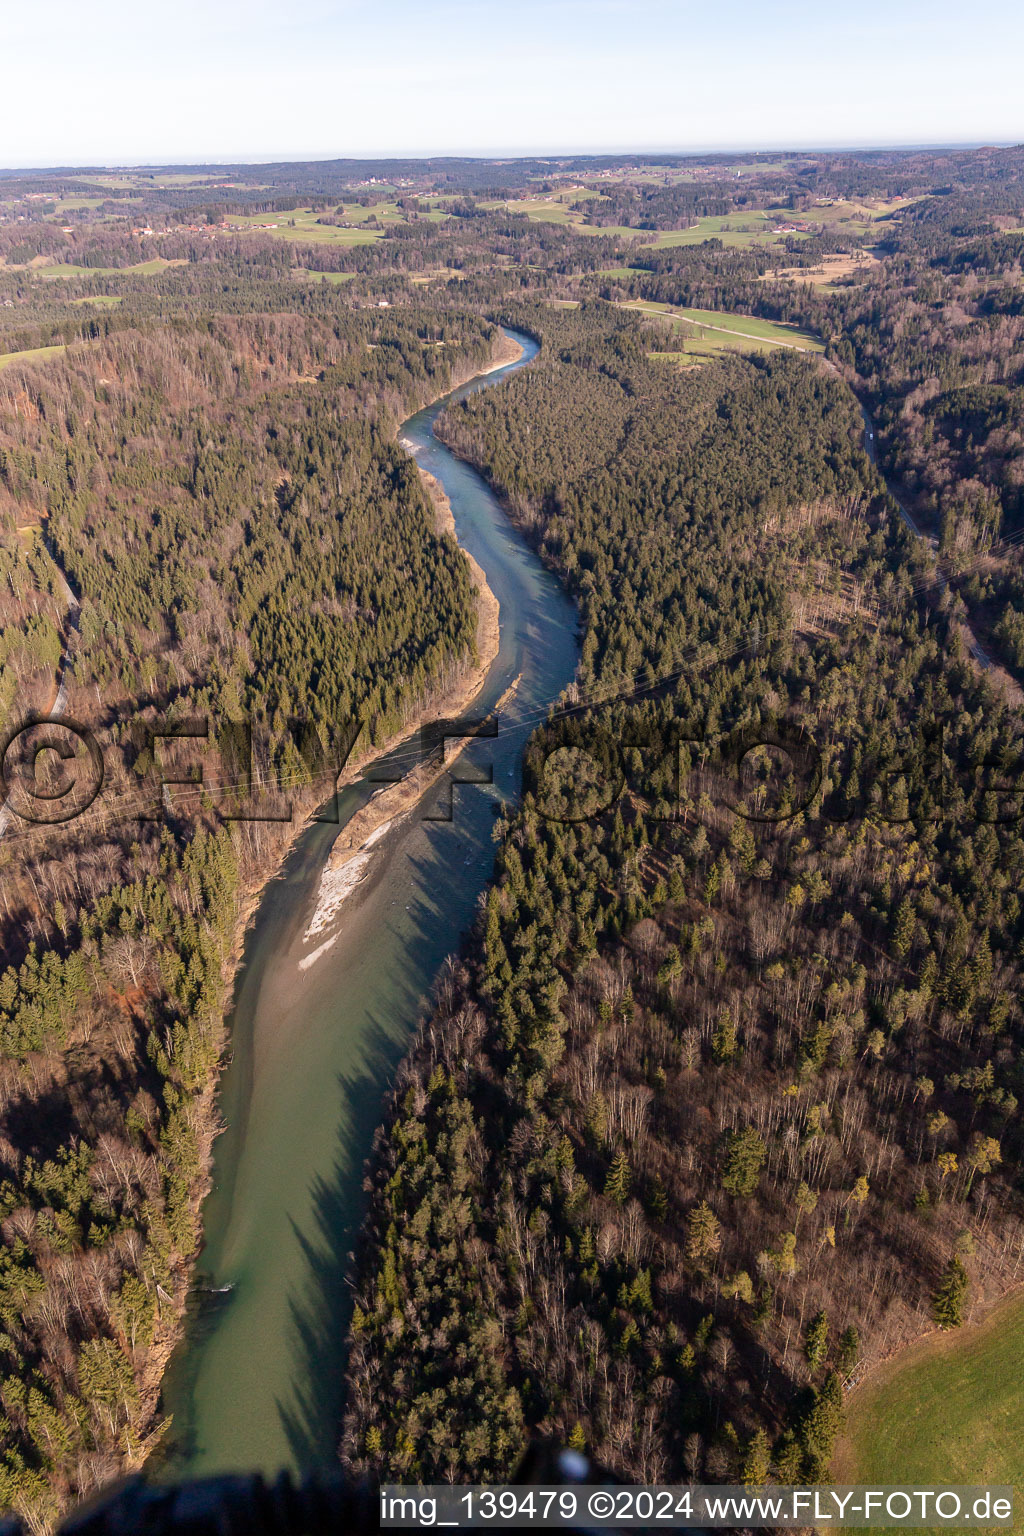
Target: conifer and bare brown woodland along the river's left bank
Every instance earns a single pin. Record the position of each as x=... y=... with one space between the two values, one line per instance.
x=248 y=543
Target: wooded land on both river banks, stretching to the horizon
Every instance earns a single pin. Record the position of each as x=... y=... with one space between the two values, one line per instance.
x=719 y=1102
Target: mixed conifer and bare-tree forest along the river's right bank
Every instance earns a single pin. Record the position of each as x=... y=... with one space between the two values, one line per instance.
x=727 y=1090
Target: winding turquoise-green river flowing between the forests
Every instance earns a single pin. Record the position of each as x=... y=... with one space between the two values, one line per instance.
x=259 y=1379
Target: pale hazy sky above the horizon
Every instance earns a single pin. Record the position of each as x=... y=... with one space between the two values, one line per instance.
x=134 y=82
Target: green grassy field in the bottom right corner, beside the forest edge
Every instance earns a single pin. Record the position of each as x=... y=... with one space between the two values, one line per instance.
x=948 y=1411
